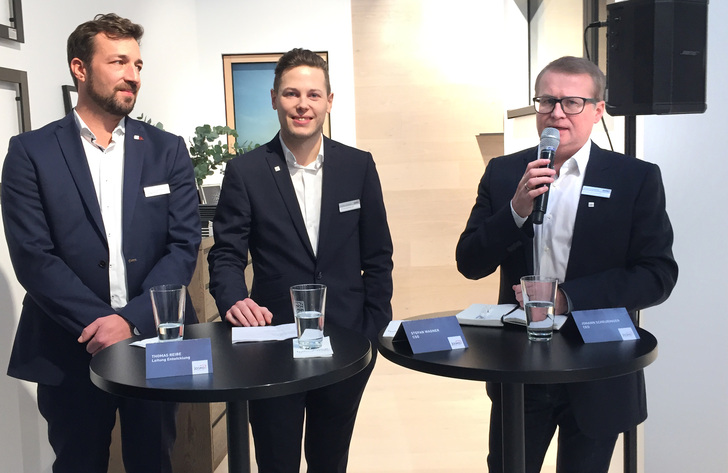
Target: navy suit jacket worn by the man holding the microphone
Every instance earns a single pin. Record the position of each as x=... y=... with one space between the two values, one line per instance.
x=621 y=256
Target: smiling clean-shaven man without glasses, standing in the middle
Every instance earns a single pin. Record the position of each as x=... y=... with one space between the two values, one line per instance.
x=309 y=210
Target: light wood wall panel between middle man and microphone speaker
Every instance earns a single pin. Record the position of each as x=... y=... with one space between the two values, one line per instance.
x=423 y=94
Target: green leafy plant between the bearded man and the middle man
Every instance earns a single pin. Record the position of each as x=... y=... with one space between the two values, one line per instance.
x=210 y=149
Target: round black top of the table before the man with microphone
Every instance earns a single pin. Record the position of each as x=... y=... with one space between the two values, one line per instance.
x=504 y=354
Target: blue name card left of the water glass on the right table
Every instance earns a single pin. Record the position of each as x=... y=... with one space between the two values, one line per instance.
x=428 y=335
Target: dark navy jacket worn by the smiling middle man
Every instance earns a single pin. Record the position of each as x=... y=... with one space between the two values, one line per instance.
x=258 y=212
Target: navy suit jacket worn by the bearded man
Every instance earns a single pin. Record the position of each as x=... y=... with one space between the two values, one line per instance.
x=58 y=247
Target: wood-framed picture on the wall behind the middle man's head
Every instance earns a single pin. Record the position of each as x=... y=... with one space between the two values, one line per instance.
x=248 y=108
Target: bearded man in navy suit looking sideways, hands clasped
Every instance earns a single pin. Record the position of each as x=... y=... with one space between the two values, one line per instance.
x=97 y=208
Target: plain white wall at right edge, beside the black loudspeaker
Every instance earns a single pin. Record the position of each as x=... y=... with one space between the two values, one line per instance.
x=687 y=386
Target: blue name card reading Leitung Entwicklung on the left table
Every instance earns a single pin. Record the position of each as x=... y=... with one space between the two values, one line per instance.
x=179 y=358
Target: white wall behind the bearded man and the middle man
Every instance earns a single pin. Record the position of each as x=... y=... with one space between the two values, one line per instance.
x=182 y=87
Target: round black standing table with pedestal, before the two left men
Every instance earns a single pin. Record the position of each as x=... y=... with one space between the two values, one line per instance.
x=241 y=372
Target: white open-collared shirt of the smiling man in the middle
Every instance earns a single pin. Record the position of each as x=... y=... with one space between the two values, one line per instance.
x=307 y=181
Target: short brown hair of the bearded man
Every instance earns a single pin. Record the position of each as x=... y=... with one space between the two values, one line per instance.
x=81 y=42
